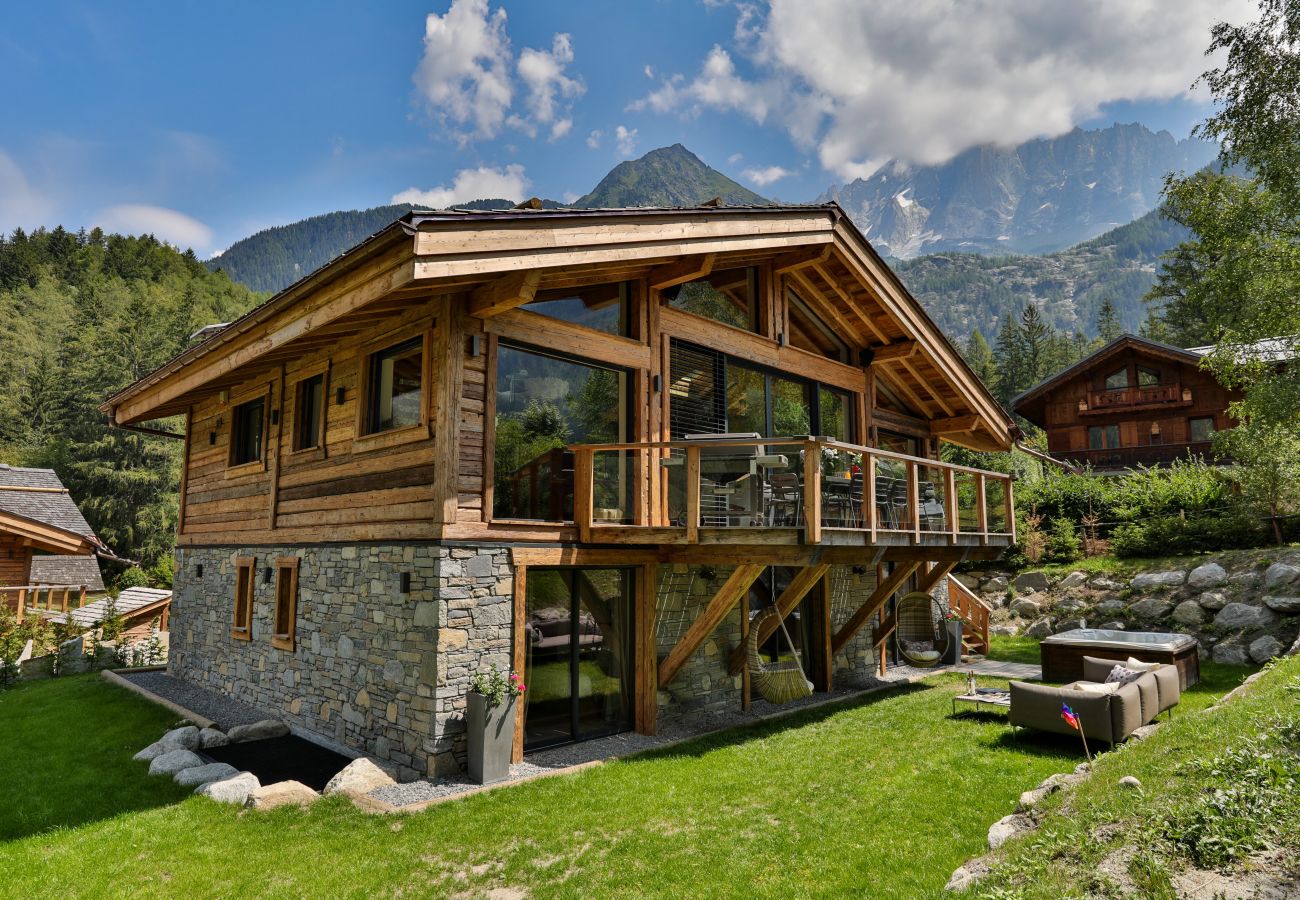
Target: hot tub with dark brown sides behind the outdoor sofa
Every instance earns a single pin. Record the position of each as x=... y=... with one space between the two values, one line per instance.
x=1063 y=655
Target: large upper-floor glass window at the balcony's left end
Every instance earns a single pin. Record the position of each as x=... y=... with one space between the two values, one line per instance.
x=545 y=404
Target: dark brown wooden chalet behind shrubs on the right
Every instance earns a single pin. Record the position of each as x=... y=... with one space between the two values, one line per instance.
x=1134 y=403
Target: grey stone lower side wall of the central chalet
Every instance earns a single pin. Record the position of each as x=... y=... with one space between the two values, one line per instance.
x=375 y=669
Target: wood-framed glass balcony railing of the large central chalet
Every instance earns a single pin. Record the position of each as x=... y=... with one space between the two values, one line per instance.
x=744 y=490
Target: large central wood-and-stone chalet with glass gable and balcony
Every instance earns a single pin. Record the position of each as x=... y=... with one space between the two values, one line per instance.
x=588 y=444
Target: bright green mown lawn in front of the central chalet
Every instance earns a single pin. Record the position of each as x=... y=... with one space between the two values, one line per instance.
x=881 y=797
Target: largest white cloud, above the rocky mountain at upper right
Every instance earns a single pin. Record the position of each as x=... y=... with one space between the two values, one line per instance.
x=924 y=80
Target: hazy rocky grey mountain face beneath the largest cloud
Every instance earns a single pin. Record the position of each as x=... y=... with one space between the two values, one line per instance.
x=1037 y=198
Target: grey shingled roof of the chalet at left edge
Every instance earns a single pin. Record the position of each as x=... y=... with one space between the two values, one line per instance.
x=36 y=505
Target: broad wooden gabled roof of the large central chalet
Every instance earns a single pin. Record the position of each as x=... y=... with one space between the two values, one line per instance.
x=449 y=252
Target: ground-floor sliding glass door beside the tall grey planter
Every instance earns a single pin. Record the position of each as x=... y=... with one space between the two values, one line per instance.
x=579 y=657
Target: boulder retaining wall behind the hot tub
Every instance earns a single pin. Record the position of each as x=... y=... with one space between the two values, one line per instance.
x=1242 y=608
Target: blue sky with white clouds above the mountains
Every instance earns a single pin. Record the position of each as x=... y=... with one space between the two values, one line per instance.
x=207 y=123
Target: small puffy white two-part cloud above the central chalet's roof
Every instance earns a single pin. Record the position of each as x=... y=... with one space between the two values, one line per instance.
x=469 y=76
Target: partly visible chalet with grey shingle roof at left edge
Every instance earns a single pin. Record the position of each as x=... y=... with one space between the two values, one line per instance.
x=46 y=544
